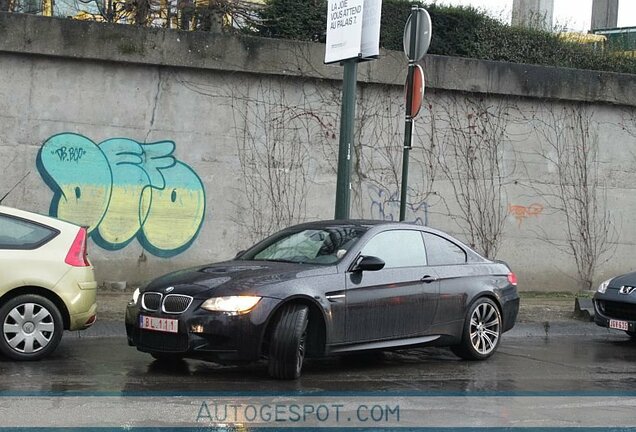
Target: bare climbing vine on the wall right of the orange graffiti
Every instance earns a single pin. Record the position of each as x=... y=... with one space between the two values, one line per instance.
x=570 y=150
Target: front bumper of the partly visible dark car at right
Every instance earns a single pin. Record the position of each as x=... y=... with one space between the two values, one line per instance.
x=613 y=306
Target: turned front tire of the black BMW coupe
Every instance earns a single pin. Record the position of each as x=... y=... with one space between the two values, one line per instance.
x=288 y=342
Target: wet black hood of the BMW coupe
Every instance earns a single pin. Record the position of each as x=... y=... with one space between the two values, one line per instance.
x=234 y=278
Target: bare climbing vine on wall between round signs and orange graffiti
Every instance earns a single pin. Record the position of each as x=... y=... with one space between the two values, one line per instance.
x=472 y=133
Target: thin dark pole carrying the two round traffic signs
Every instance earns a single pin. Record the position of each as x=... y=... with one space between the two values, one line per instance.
x=408 y=118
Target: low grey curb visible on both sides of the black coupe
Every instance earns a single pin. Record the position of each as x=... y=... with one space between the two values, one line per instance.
x=520 y=330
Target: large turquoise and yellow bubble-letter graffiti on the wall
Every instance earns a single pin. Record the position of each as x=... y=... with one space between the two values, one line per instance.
x=122 y=189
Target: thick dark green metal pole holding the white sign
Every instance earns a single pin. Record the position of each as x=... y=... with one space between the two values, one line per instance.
x=347 y=117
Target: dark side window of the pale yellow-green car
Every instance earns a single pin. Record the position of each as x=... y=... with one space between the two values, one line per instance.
x=21 y=234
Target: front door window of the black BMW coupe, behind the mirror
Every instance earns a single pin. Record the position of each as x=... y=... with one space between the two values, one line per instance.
x=397 y=248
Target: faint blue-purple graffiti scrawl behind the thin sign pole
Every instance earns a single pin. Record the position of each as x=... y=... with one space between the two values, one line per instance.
x=385 y=205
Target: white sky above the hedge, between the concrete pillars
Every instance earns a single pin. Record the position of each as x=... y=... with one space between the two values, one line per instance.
x=575 y=15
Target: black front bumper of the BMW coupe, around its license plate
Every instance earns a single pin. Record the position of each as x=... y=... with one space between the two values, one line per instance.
x=214 y=336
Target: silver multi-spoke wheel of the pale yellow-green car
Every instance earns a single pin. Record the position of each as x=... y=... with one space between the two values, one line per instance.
x=28 y=328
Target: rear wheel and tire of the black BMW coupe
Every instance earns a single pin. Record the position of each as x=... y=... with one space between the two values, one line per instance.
x=482 y=331
